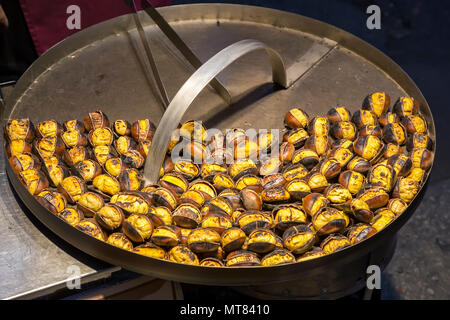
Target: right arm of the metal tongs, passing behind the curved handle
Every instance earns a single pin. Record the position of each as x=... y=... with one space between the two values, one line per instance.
x=184 y=49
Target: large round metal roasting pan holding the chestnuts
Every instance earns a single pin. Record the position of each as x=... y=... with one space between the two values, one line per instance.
x=102 y=67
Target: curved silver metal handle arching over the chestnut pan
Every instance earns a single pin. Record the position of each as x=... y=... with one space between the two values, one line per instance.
x=192 y=87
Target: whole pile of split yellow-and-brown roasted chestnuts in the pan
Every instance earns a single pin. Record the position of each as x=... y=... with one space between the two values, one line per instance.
x=336 y=181
